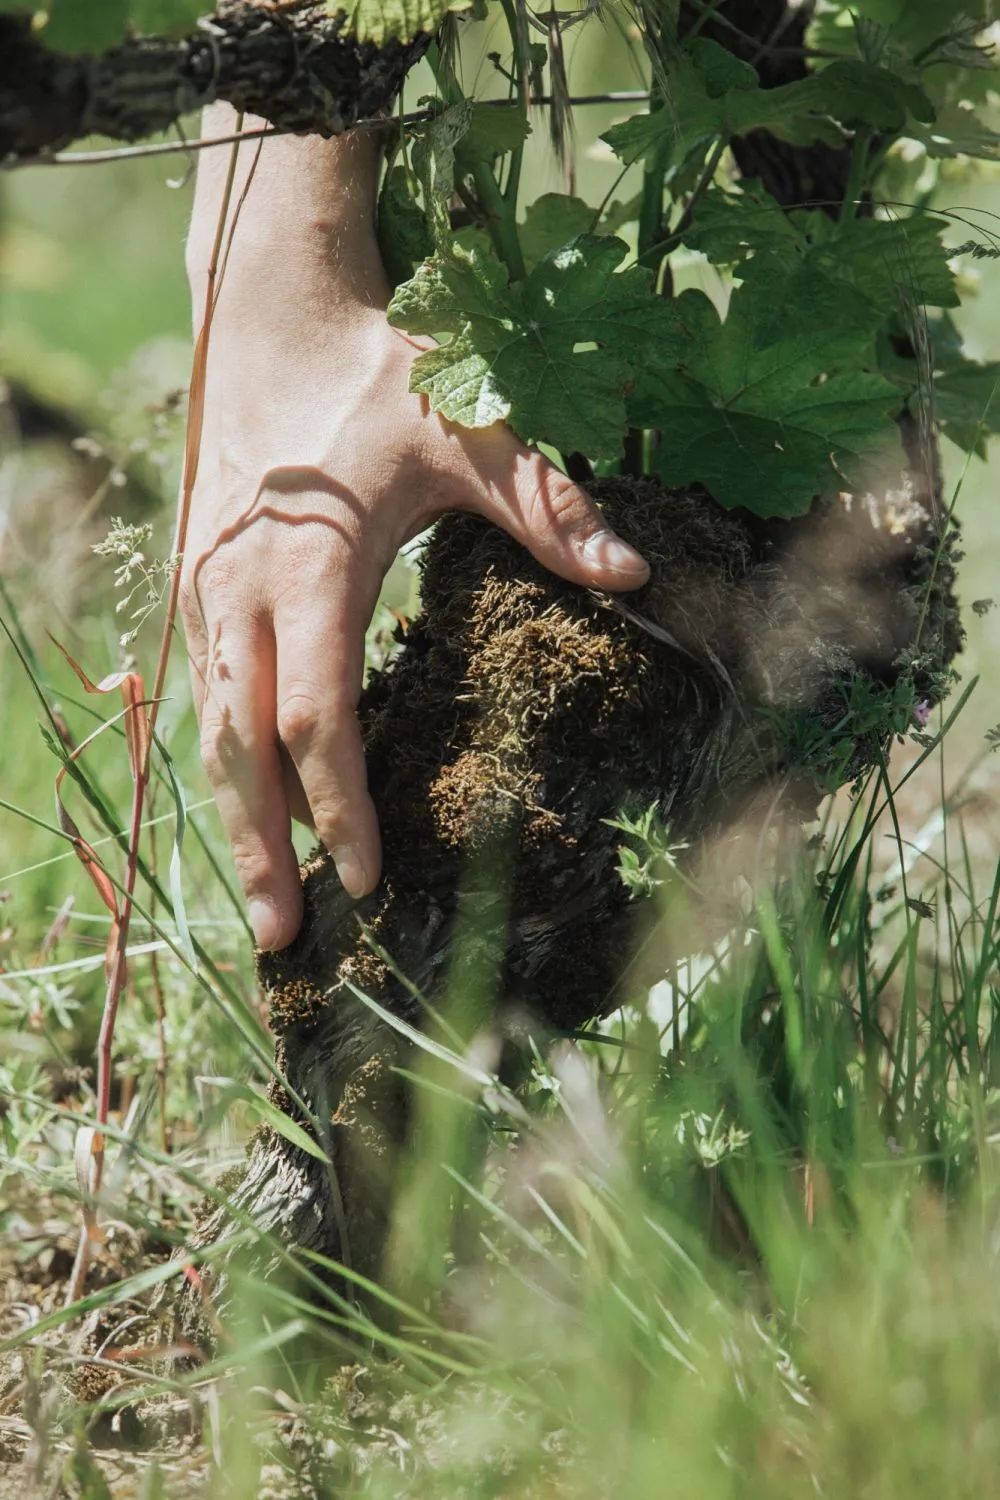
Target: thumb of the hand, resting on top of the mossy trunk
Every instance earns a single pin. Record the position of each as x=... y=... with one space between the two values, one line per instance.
x=560 y=526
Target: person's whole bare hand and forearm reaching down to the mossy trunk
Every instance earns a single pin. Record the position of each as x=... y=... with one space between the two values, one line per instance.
x=317 y=466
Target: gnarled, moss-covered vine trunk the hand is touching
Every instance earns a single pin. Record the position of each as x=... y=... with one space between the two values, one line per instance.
x=522 y=713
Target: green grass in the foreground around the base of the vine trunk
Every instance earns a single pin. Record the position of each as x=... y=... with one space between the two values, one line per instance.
x=740 y=1241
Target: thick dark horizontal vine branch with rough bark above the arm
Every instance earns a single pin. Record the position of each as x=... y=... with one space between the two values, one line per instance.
x=292 y=64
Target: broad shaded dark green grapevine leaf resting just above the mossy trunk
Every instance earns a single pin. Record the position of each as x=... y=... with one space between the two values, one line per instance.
x=774 y=406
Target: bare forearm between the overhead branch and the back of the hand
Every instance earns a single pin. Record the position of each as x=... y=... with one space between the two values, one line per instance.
x=307 y=235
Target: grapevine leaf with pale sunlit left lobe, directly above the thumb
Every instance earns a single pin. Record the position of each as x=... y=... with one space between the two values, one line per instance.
x=551 y=355
